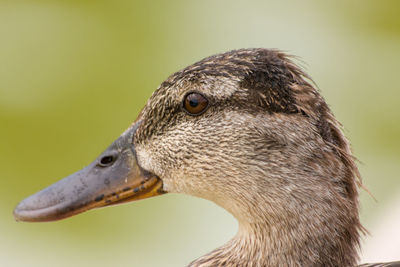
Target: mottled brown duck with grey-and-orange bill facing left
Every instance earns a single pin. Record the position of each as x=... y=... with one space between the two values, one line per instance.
x=249 y=130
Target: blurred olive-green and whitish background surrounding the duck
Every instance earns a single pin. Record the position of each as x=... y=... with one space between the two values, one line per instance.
x=74 y=75
